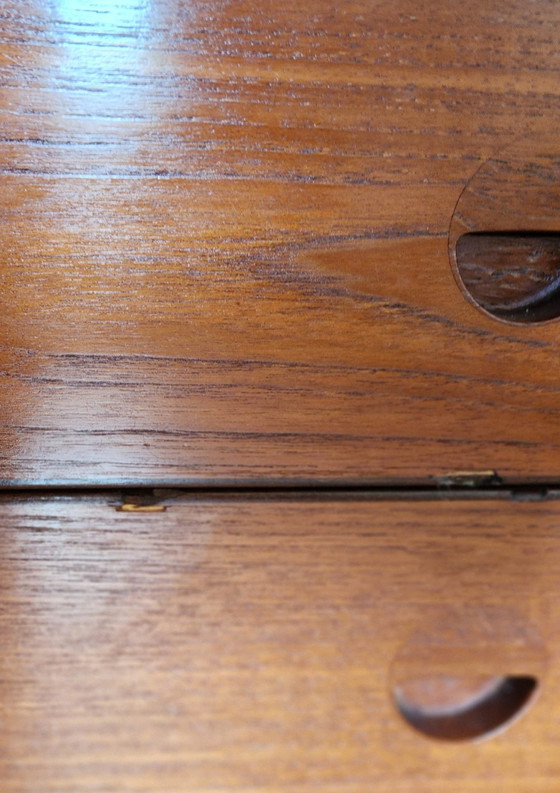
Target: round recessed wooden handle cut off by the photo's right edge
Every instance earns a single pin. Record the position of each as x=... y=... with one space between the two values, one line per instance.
x=504 y=238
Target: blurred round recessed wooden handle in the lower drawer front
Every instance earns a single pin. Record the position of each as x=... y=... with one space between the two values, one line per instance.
x=468 y=673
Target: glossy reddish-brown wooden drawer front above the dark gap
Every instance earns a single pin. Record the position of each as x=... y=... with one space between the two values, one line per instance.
x=223 y=247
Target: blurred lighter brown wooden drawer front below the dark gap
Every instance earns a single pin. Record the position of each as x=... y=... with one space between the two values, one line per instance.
x=242 y=644
